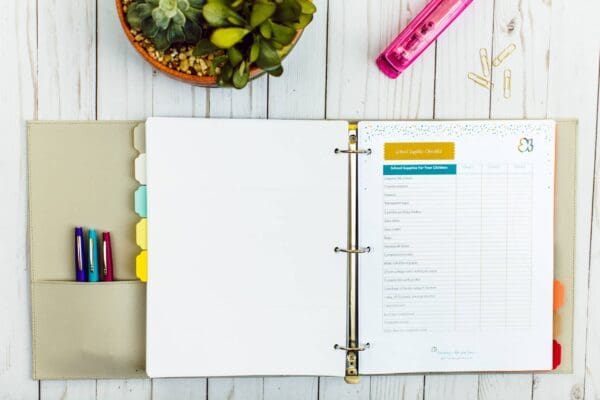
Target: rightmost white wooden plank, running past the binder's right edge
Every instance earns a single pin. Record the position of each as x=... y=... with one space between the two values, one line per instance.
x=572 y=92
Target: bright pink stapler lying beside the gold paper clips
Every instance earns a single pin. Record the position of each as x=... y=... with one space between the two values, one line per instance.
x=419 y=34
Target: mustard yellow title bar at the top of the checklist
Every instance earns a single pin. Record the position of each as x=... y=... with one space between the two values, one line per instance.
x=419 y=151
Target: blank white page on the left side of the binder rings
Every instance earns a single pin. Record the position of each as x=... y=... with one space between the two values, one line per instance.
x=243 y=217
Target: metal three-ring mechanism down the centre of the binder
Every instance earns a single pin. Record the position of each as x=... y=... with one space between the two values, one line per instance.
x=352 y=250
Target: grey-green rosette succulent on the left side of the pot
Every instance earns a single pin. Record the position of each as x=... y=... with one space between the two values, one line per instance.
x=166 y=22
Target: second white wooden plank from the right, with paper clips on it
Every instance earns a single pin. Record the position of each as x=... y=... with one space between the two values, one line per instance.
x=525 y=24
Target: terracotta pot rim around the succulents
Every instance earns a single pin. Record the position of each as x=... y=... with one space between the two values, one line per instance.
x=207 y=81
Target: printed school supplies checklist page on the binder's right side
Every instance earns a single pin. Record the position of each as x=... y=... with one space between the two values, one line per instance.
x=459 y=217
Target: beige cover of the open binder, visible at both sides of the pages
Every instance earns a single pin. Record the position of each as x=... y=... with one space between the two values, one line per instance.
x=81 y=174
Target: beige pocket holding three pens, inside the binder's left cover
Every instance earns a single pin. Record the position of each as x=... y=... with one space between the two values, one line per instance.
x=88 y=330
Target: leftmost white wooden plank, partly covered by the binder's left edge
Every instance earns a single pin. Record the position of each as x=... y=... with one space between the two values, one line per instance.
x=18 y=81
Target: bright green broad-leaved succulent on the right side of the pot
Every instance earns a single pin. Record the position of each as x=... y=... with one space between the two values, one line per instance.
x=252 y=33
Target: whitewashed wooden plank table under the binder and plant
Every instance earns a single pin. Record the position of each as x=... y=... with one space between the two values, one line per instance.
x=65 y=59
